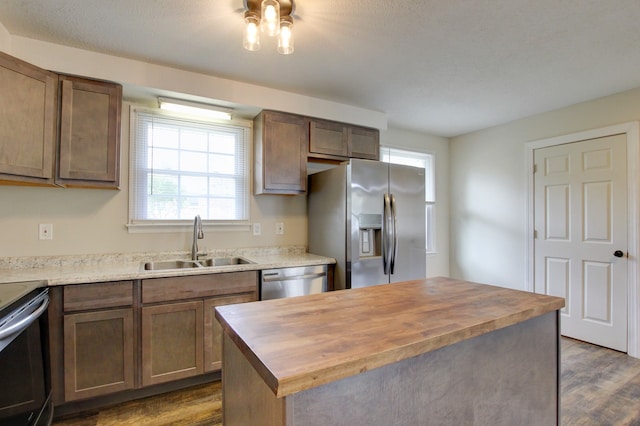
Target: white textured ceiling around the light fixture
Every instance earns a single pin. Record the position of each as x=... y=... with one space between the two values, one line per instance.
x=445 y=67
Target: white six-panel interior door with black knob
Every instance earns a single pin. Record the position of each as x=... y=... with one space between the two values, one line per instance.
x=580 y=216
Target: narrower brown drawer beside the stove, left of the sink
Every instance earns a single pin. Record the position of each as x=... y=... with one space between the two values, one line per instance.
x=97 y=296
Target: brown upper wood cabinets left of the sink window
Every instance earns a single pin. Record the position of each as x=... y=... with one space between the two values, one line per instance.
x=57 y=129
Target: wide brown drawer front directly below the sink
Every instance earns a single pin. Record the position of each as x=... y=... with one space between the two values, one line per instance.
x=198 y=286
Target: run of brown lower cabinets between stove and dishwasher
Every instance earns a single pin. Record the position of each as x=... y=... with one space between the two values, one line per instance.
x=126 y=335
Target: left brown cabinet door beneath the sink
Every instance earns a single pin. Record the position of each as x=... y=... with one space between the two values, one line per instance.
x=172 y=342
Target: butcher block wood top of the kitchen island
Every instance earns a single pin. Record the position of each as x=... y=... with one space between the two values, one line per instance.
x=299 y=343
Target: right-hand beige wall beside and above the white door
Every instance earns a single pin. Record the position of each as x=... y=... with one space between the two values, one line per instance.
x=489 y=192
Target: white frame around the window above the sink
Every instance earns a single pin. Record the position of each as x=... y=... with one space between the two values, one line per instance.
x=179 y=225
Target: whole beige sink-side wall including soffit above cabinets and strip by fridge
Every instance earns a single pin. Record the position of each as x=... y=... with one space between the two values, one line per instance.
x=93 y=221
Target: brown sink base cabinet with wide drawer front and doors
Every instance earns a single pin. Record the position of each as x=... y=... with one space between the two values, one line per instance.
x=183 y=339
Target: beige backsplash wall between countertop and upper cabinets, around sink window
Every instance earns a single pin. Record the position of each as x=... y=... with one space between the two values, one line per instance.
x=93 y=221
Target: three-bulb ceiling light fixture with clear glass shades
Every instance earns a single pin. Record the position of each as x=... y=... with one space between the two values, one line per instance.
x=272 y=17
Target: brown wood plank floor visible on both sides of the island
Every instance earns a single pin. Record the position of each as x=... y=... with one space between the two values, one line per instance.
x=598 y=387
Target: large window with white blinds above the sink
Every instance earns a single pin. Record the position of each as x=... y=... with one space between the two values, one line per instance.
x=183 y=167
